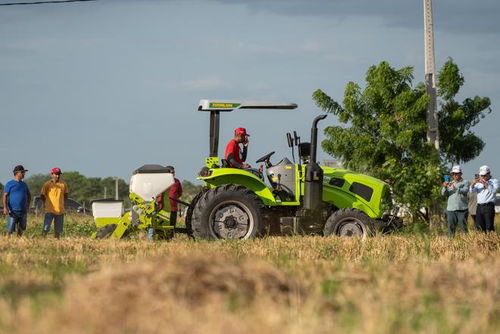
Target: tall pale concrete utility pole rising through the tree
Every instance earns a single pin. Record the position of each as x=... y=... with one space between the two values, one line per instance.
x=430 y=76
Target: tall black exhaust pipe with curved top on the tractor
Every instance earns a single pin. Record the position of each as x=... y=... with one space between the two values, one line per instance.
x=313 y=188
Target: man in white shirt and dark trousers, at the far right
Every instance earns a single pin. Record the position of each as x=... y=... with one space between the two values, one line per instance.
x=486 y=188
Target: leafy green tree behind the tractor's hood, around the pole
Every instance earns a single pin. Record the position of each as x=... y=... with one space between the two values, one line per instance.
x=384 y=132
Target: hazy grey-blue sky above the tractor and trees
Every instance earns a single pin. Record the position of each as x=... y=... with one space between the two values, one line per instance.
x=106 y=86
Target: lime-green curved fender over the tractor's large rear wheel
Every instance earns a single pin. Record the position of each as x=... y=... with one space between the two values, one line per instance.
x=221 y=176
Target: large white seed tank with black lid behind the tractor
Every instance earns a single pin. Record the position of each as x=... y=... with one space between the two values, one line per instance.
x=150 y=181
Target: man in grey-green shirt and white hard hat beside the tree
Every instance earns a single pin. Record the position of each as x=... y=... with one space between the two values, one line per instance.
x=456 y=210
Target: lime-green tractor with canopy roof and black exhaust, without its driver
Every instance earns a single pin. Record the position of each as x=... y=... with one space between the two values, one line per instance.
x=301 y=198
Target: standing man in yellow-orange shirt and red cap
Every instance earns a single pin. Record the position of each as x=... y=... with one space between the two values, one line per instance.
x=54 y=193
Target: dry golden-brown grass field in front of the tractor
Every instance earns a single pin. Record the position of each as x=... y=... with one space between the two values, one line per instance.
x=385 y=284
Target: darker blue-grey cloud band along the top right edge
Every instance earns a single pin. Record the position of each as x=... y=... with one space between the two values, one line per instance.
x=455 y=16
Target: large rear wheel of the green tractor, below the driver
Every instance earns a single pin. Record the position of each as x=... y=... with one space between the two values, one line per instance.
x=228 y=212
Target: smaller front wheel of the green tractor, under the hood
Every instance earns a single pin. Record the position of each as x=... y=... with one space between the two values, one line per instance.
x=349 y=223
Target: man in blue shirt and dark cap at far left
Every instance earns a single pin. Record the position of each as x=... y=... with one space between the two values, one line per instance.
x=16 y=199
